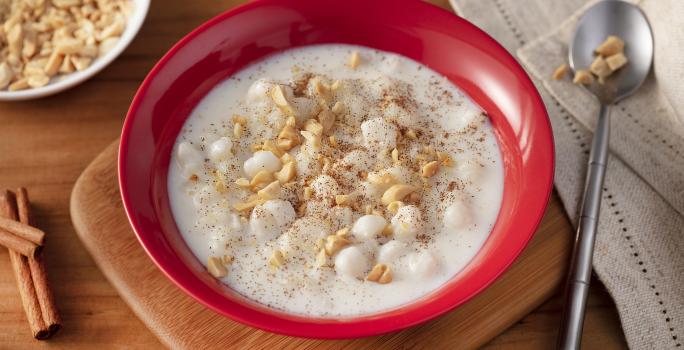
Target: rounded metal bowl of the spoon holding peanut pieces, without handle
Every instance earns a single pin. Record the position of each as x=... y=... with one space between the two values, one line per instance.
x=624 y=20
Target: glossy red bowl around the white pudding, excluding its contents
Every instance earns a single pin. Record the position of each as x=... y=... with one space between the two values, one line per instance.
x=222 y=46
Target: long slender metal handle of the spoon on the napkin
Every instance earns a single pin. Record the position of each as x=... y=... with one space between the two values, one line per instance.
x=579 y=274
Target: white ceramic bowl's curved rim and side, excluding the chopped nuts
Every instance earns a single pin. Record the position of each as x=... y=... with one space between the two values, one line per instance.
x=64 y=82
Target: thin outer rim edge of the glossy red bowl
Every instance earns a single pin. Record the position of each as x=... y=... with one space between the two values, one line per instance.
x=545 y=137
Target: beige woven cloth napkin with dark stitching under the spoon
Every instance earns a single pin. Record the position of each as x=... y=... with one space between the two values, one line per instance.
x=640 y=244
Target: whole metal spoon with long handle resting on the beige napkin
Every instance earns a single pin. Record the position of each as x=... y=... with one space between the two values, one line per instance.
x=627 y=21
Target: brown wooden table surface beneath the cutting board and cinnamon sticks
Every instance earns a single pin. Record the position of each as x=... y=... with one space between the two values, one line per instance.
x=46 y=143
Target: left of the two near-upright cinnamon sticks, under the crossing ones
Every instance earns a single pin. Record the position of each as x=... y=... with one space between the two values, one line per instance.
x=22 y=273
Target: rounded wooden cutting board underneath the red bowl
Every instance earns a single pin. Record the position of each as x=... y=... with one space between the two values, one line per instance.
x=180 y=322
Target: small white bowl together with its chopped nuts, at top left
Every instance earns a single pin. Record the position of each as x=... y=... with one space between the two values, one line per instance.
x=49 y=46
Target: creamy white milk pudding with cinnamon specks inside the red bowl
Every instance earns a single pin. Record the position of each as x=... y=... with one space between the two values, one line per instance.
x=385 y=100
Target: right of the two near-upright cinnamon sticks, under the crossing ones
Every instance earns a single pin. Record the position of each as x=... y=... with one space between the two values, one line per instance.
x=46 y=298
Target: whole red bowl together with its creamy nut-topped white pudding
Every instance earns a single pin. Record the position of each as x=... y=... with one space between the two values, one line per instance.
x=335 y=172
